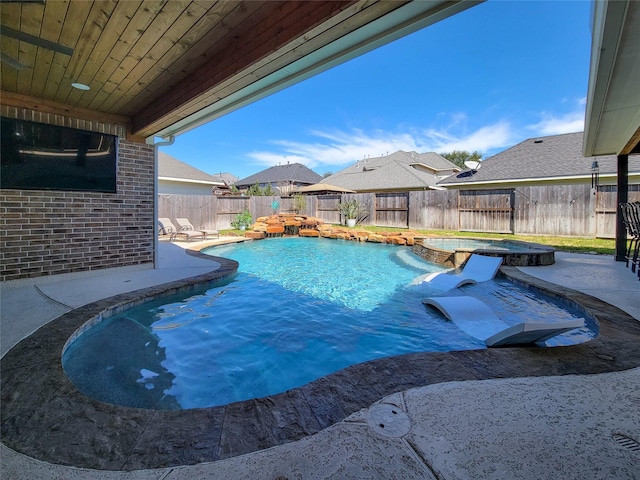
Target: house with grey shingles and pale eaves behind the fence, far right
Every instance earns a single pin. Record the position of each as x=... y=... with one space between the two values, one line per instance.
x=556 y=159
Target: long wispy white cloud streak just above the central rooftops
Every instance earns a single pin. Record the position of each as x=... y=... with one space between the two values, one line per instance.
x=340 y=148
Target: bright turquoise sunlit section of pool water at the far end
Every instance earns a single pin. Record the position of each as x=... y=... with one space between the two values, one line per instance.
x=354 y=275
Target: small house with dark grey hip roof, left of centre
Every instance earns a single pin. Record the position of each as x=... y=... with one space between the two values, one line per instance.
x=284 y=178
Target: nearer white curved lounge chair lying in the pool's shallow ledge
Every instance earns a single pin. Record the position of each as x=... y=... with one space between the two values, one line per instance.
x=475 y=318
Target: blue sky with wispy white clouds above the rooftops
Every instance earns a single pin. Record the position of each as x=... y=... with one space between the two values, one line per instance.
x=485 y=79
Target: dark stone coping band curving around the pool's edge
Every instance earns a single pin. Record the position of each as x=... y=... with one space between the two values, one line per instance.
x=44 y=415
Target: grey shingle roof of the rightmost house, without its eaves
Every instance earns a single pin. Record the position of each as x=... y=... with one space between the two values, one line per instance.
x=538 y=159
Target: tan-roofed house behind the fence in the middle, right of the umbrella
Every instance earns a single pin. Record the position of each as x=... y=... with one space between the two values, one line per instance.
x=400 y=171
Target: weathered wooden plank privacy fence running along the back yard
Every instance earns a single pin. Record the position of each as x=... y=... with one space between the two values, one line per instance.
x=572 y=210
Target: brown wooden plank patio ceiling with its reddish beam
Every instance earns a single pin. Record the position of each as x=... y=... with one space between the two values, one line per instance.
x=154 y=62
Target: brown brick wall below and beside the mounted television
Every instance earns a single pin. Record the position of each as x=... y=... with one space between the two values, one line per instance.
x=52 y=232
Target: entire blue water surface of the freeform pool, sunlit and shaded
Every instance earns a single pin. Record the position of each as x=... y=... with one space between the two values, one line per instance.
x=299 y=309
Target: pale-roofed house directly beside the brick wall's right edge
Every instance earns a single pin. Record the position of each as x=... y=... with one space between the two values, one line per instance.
x=176 y=177
